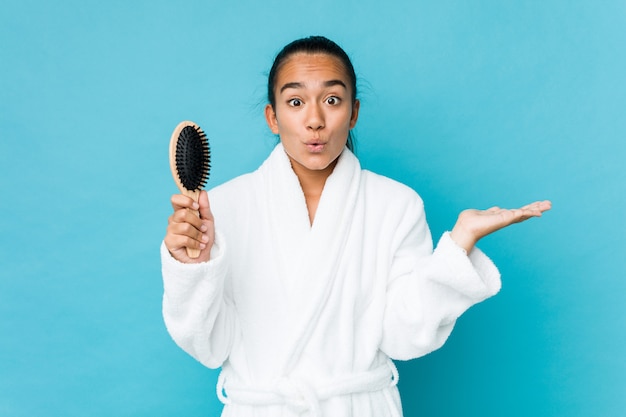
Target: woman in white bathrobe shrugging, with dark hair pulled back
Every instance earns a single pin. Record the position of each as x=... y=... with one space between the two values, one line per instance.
x=313 y=273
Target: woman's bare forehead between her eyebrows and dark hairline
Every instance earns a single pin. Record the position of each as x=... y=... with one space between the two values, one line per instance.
x=303 y=67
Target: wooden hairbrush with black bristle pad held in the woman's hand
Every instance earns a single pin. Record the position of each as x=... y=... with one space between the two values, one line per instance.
x=190 y=161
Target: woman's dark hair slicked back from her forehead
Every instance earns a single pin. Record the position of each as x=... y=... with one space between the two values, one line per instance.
x=312 y=45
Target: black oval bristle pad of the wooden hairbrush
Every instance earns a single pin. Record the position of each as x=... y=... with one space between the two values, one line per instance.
x=193 y=158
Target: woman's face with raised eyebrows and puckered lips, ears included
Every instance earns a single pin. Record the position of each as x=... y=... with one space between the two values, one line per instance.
x=314 y=111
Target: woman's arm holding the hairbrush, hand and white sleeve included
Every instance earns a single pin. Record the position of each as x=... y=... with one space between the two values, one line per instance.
x=197 y=309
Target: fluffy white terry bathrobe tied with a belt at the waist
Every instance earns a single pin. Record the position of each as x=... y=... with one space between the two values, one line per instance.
x=304 y=319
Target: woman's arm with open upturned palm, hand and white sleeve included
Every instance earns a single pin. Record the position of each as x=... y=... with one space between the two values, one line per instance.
x=427 y=291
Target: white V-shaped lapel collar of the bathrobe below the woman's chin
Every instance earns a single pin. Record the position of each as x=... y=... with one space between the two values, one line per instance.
x=307 y=257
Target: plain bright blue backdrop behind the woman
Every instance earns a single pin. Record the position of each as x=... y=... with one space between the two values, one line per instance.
x=473 y=104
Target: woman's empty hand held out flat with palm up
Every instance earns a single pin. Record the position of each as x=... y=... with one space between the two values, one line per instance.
x=472 y=225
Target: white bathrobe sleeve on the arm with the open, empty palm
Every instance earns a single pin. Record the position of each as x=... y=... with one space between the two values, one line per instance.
x=428 y=290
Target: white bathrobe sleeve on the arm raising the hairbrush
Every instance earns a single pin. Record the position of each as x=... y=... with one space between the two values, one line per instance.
x=198 y=313
